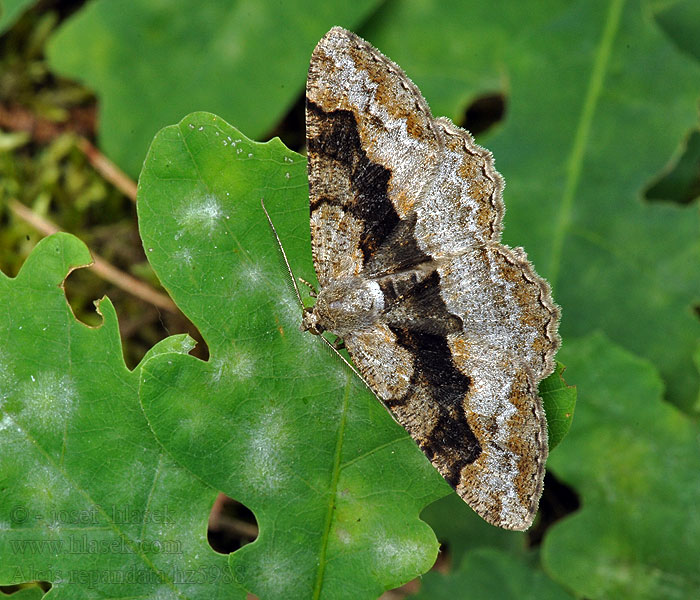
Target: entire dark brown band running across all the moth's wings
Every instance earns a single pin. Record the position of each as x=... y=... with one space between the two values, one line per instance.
x=390 y=249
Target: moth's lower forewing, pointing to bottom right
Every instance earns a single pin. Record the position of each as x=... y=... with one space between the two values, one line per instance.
x=499 y=477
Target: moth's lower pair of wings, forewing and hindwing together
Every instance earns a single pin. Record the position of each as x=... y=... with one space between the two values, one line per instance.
x=467 y=393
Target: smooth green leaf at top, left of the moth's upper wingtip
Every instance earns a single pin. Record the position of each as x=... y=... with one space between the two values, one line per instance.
x=152 y=62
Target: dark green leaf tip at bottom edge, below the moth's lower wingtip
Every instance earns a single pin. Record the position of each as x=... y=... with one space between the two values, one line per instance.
x=489 y=573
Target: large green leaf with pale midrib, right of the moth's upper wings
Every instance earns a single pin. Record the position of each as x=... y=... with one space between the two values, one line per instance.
x=598 y=100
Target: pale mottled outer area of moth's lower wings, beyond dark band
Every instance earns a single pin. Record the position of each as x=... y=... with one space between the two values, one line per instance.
x=506 y=345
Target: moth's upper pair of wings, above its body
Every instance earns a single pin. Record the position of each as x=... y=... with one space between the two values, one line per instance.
x=375 y=155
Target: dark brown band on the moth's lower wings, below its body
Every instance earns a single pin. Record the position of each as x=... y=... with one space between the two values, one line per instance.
x=451 y=442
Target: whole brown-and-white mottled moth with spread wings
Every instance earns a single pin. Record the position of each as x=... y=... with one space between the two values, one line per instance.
x=450 y=329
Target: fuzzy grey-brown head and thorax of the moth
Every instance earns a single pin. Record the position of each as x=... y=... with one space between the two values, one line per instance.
x=345 y=305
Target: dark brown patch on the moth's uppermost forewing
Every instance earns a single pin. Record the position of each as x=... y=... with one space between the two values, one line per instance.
x=338 y=139
